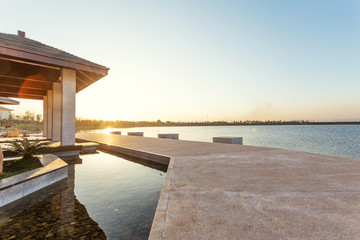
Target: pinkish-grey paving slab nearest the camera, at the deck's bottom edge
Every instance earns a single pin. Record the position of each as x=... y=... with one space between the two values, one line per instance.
x=258 y=215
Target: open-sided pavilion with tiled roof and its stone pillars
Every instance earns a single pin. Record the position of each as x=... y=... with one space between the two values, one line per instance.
x=32 y=70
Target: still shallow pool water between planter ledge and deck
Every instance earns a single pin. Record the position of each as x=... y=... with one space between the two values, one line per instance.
x=105 y=197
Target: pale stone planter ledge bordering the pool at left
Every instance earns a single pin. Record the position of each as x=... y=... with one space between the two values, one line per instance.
x=13 y=188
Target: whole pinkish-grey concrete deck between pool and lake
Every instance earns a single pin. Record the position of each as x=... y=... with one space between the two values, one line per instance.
x=222 y=191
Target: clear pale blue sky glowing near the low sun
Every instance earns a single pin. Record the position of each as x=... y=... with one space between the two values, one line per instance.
x=204 y=60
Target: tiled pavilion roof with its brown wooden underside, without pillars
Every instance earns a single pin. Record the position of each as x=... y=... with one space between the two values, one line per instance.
x=28 y=67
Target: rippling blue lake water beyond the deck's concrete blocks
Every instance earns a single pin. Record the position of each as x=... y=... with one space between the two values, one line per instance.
x=340 y=140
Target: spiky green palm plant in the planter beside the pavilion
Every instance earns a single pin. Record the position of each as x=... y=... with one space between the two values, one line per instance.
x=27 y=148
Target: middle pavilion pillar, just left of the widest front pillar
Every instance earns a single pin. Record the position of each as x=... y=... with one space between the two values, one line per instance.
x=57 y=102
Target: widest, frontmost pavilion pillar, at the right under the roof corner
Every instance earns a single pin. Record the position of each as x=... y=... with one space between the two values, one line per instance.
x=68 y=78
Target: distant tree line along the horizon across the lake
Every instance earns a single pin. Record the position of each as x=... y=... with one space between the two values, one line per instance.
x=82 y=124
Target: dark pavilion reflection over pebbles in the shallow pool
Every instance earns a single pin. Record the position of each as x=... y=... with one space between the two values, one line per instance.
x=51 y=213
